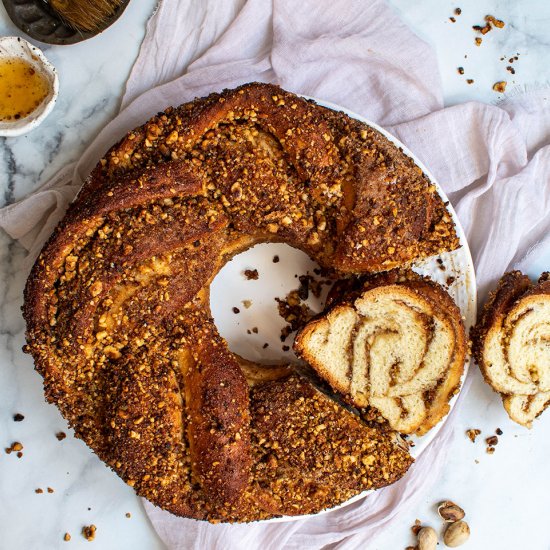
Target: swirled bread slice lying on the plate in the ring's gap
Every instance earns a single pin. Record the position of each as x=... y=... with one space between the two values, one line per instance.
x=398 y=345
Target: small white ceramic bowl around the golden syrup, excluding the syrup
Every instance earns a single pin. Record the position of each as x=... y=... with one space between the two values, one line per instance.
x=14 y=46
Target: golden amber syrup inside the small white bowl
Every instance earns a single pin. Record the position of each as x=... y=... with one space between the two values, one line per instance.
x=22 y=88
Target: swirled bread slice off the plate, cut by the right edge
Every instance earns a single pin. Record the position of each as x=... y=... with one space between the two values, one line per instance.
x=511 y=344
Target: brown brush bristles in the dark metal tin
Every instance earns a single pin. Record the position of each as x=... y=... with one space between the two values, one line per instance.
x=85 y=15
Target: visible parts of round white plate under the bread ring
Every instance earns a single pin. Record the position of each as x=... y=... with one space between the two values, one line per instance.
x=231 y=288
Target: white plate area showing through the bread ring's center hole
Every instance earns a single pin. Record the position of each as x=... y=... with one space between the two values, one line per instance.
x=245 y=308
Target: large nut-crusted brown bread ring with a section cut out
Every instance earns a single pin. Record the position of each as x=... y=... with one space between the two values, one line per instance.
x=117 y=303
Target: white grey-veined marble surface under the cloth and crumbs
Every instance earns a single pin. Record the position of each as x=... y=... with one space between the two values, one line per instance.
x=506 y=495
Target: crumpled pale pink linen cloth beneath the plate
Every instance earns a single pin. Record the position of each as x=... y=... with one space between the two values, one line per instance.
x=493 y=163
